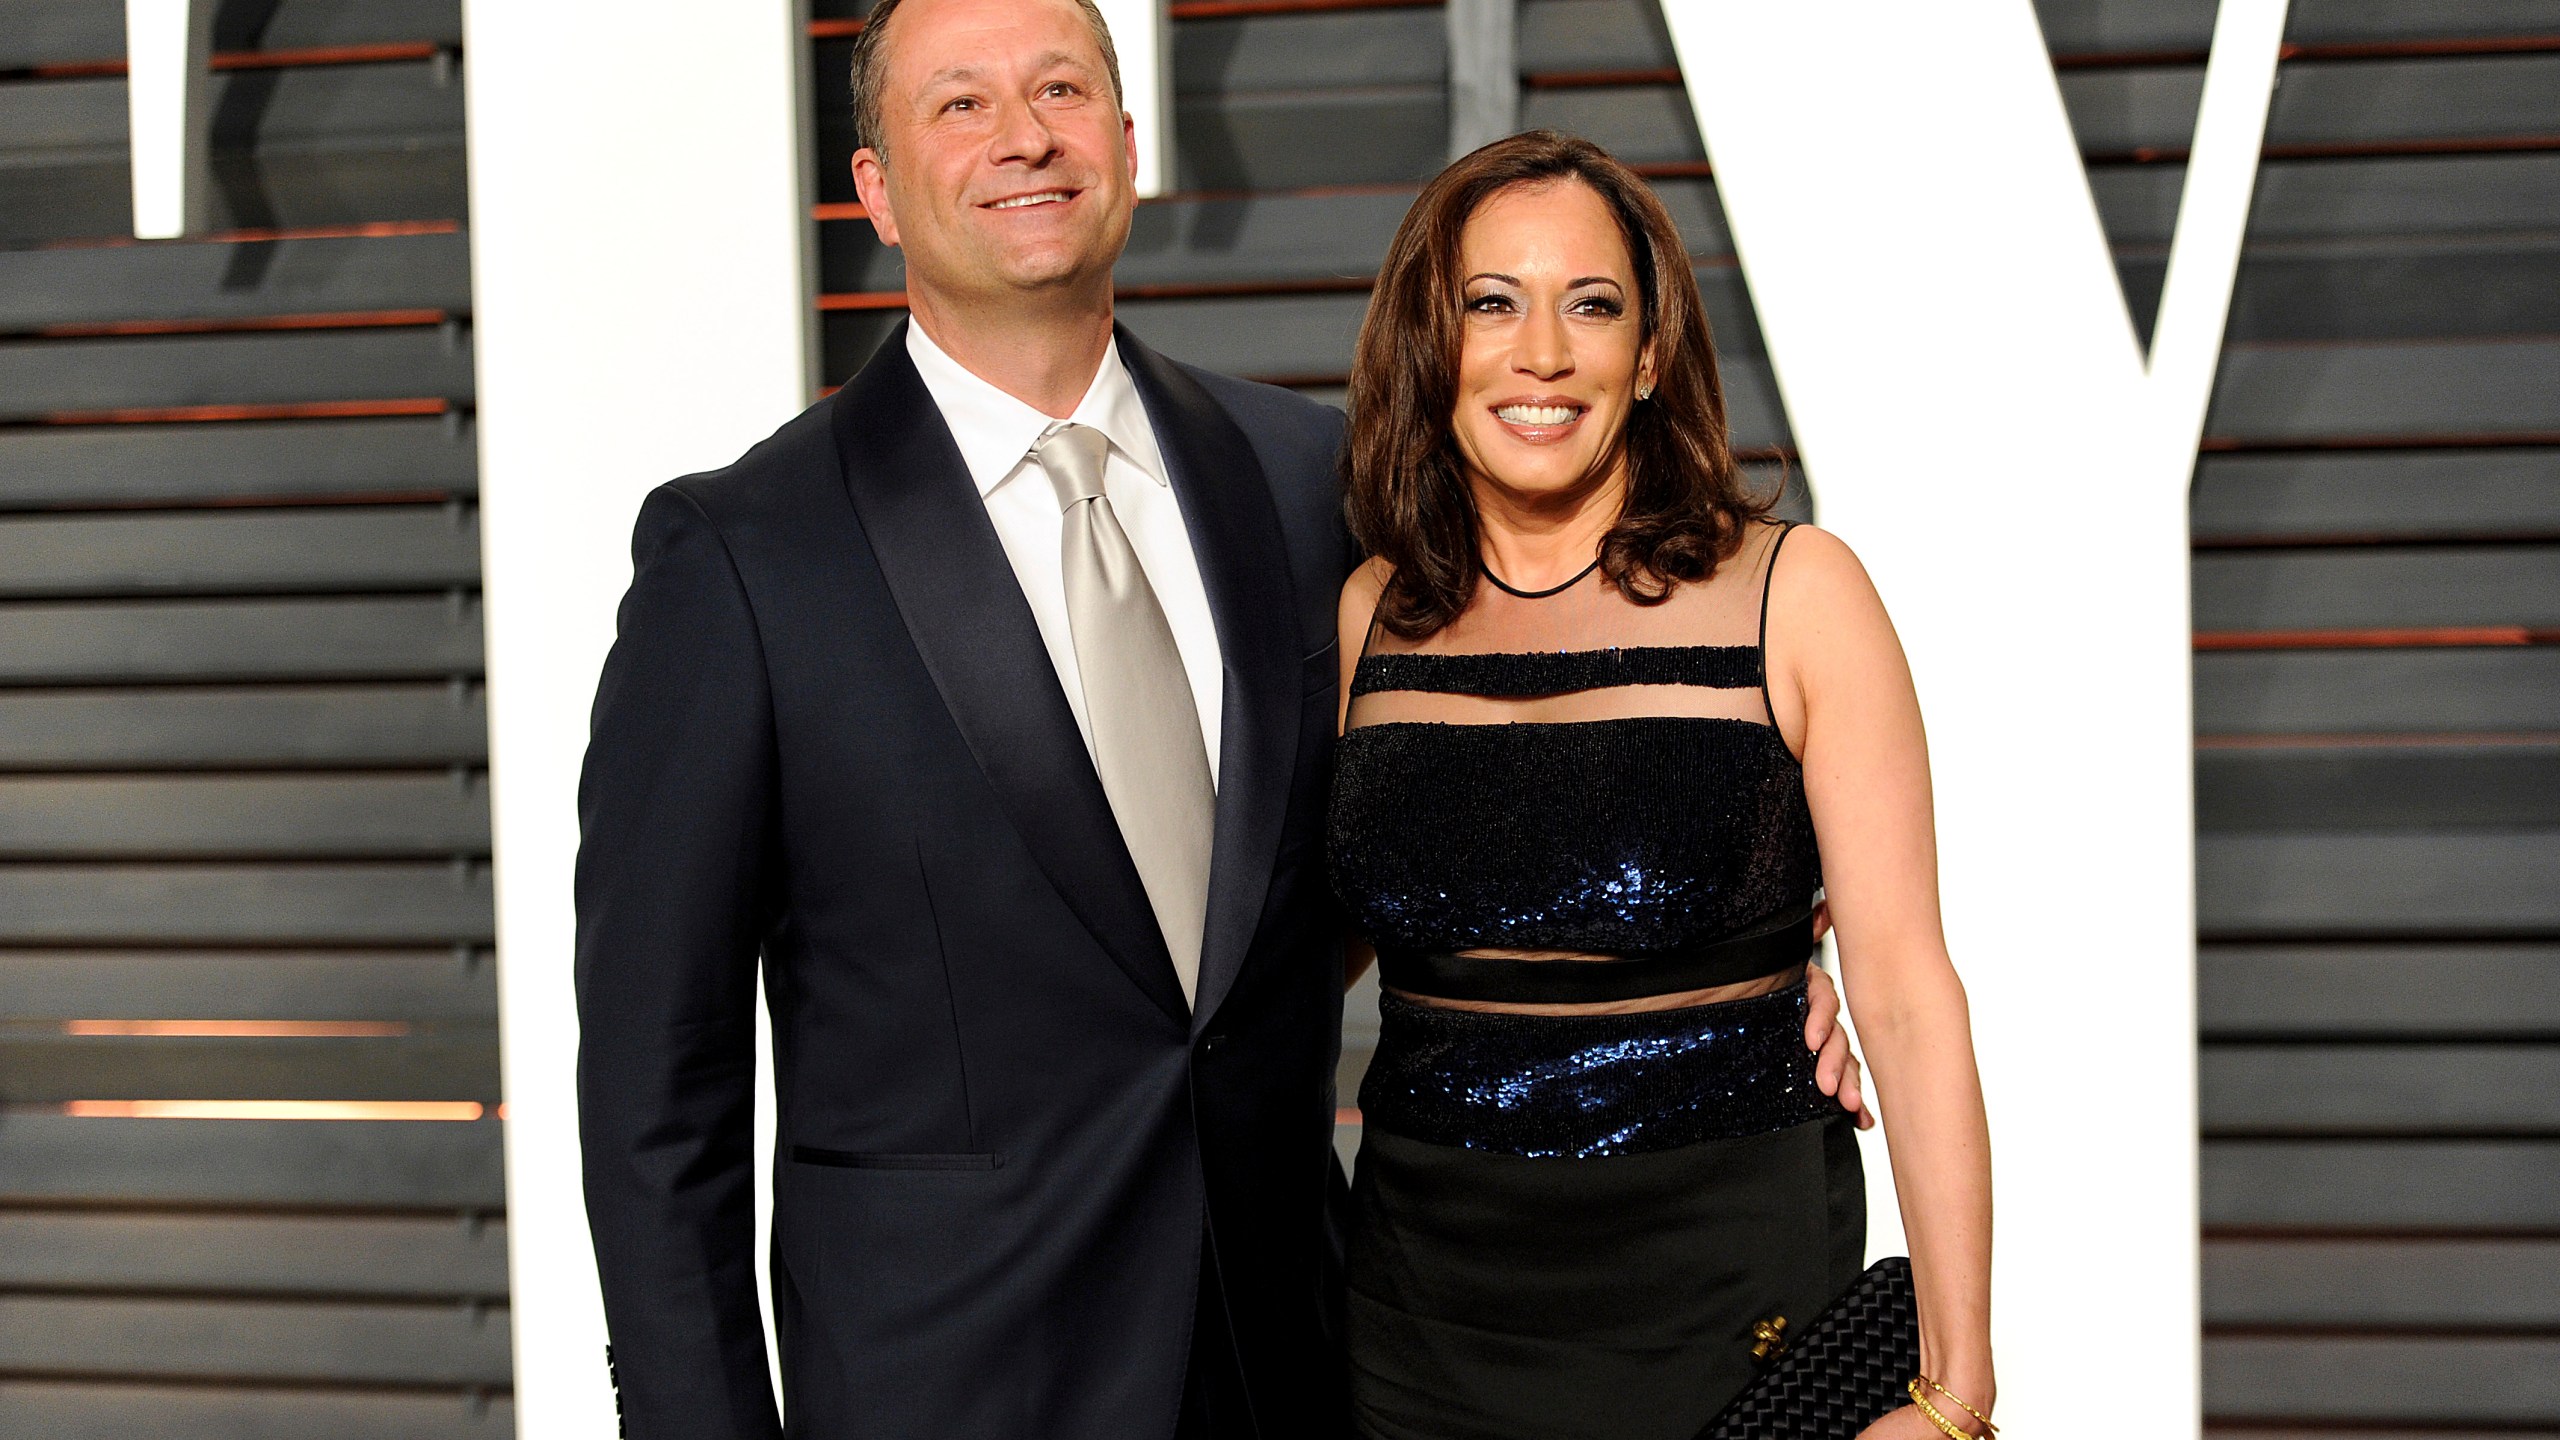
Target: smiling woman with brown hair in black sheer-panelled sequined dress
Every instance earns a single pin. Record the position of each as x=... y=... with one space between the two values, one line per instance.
x=1609 y=739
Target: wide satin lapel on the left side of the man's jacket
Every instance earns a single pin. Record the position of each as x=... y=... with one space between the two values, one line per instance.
x=974 y=629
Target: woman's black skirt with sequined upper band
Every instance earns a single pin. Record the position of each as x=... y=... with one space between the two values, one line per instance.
x=1571 y=1226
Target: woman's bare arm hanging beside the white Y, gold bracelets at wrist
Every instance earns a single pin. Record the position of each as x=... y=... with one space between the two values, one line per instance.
x=1847 y=706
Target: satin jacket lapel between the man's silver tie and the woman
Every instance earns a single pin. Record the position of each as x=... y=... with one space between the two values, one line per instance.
x=1235 y=534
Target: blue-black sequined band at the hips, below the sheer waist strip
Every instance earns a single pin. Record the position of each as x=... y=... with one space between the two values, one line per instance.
x=1594 y=1085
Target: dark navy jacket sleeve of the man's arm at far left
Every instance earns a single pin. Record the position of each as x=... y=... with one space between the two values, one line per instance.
x=675 y=888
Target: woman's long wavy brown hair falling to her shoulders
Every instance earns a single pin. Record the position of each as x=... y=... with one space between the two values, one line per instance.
x=1407 y=491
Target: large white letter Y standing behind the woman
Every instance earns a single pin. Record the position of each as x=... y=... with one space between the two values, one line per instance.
x=1985 y=432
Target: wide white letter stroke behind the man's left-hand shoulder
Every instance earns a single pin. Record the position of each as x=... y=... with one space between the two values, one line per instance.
x=636 y=252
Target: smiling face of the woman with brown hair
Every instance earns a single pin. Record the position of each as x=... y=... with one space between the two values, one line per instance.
x=1553 y=350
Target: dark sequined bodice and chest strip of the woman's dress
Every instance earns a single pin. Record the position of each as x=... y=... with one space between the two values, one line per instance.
x=1627 y=837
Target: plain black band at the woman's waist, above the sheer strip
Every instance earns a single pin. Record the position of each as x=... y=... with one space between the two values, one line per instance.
x=1445 y=975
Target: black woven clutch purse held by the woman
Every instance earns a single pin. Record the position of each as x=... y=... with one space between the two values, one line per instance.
x=1842 y=1375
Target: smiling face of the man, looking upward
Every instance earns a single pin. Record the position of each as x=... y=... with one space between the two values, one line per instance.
x=1010 y=165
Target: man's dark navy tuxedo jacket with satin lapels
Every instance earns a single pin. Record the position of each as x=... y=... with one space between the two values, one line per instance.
x=831 y=744
